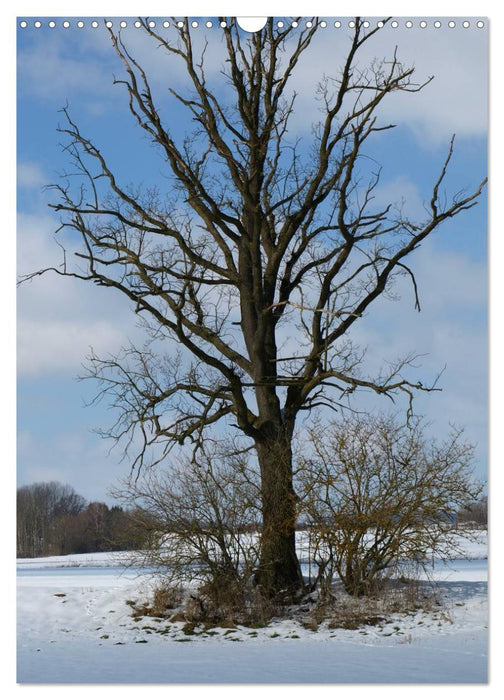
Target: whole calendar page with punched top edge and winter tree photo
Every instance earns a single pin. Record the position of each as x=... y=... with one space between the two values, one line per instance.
x=252 y=349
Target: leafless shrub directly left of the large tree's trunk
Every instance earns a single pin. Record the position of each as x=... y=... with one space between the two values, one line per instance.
x=201 y=519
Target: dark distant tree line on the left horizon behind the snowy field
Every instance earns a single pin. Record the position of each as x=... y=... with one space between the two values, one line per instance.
x=52 y=519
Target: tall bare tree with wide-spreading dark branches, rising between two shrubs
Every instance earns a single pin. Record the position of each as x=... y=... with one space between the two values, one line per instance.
x=257 y=231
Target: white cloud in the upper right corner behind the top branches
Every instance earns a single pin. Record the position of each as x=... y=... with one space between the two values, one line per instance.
x=455 y=101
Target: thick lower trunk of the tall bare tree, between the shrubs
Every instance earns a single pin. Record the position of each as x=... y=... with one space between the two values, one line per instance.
x=279 y=570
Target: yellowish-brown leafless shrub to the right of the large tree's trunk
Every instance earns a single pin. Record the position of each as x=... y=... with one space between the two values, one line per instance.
x=378 y=495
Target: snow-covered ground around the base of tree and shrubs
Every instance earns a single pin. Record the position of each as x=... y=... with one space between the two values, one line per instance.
x=74 y=626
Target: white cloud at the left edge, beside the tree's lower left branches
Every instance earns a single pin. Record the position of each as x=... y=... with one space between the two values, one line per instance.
x=60 y=318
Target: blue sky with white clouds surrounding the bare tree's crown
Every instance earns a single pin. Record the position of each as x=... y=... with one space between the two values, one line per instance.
x=59 y=319
